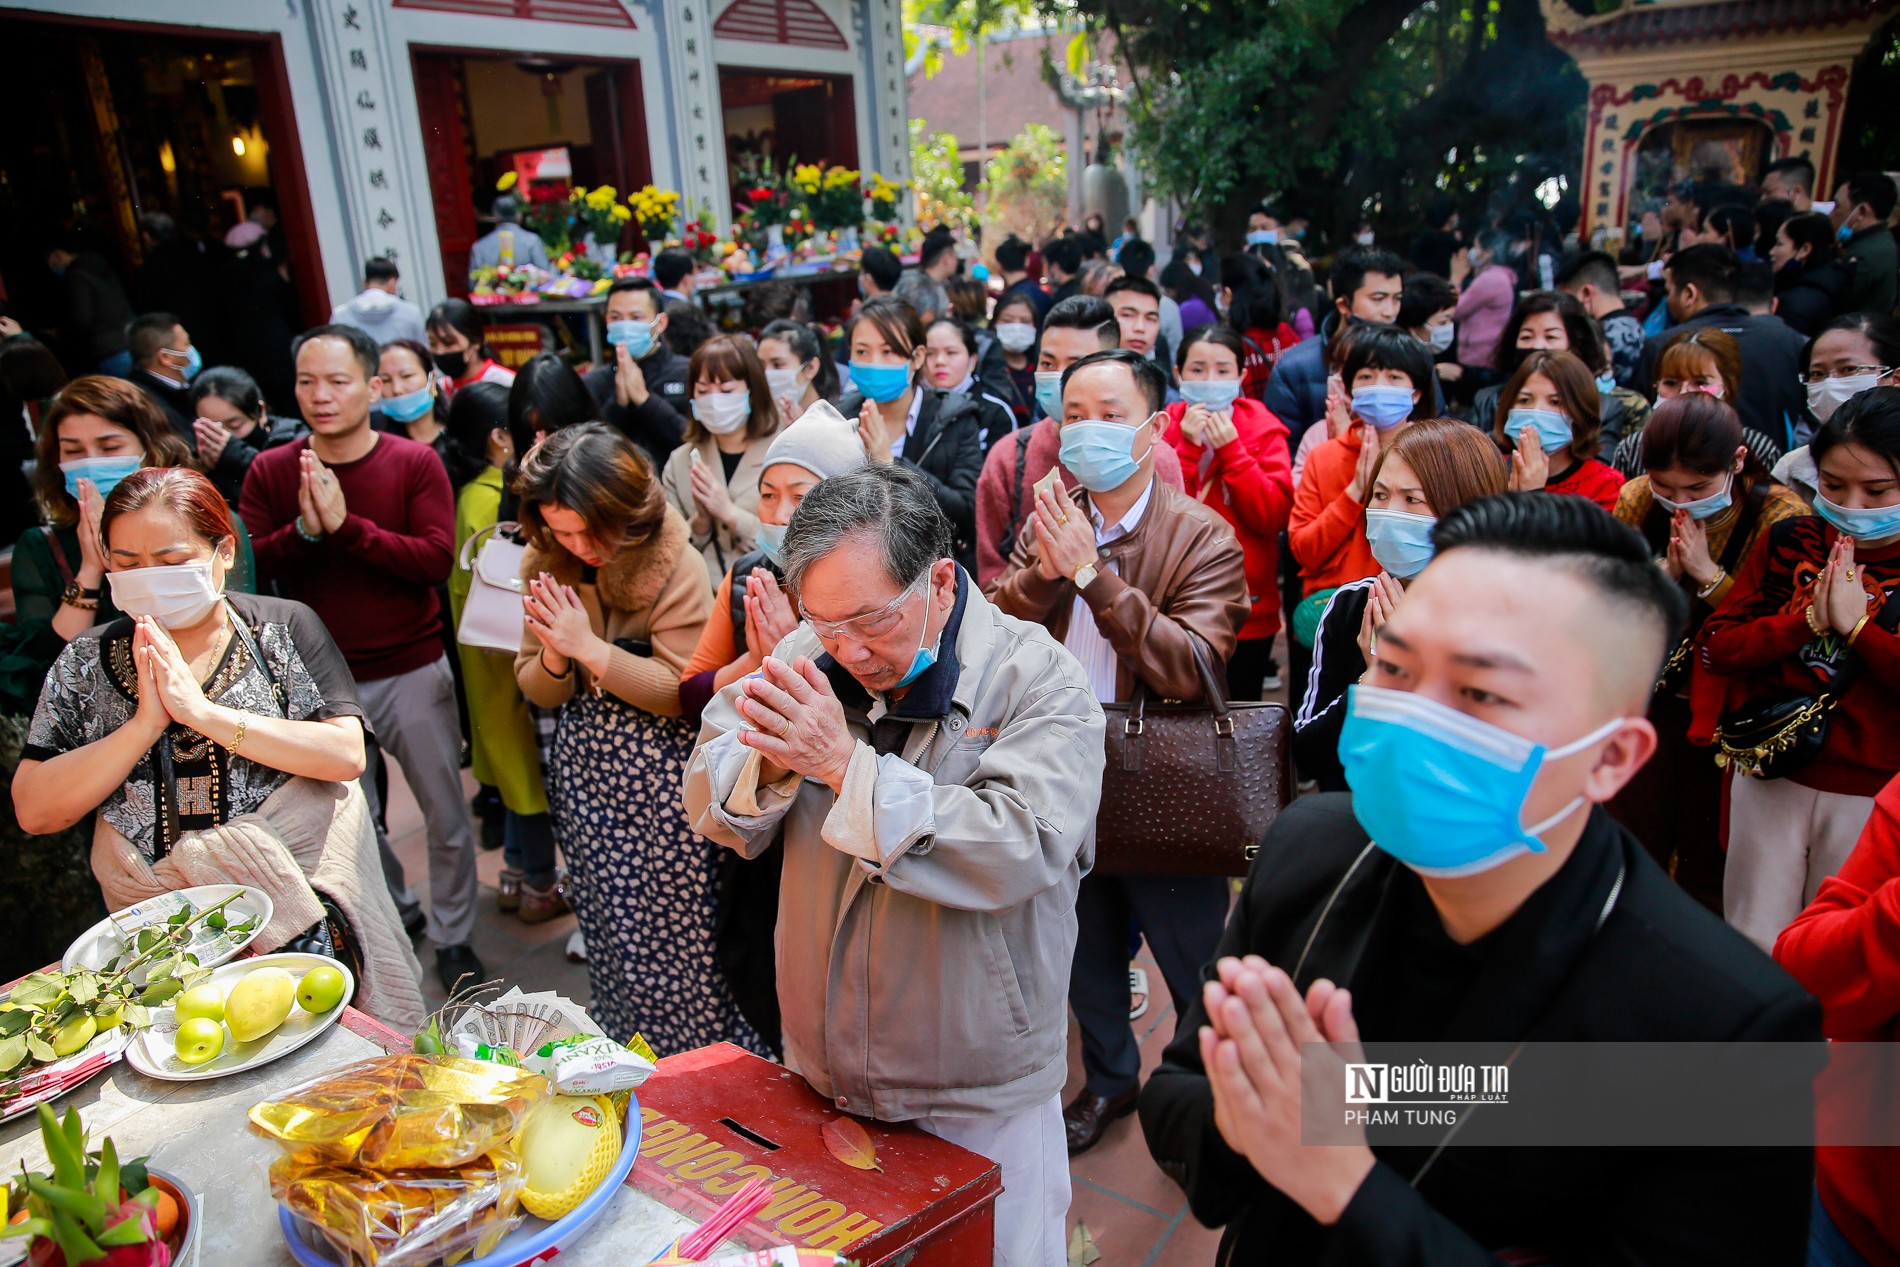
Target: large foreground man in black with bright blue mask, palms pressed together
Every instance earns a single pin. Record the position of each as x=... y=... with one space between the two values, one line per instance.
x=1513 y=687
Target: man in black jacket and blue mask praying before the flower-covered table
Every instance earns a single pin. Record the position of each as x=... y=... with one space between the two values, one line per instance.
x=643 y=392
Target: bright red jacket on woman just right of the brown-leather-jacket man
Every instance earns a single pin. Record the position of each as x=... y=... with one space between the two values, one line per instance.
x=1251 y=483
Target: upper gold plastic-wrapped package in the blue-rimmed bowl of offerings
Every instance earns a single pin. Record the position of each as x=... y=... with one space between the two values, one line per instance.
x=404 y=1112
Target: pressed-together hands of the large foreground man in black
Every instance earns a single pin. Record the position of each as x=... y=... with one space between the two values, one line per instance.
x=1253 y=1057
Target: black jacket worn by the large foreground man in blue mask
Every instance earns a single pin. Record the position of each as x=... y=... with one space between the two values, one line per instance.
x=1660 y=968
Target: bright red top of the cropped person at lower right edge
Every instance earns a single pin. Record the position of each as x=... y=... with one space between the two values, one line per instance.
x=1846 y=951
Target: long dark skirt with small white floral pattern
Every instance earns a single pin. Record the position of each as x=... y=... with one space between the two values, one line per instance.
x=643 y=884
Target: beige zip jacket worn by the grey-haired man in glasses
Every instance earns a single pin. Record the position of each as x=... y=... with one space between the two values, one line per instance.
x=928 y=915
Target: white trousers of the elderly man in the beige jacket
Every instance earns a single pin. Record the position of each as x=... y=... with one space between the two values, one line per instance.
x=1033 y=1152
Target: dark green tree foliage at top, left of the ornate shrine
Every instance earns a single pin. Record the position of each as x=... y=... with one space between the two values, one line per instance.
x=1348 y=107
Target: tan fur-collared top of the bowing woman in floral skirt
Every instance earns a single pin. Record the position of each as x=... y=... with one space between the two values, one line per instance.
x=655 y=592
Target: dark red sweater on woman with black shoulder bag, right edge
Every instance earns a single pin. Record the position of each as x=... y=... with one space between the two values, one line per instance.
x=1760 y=637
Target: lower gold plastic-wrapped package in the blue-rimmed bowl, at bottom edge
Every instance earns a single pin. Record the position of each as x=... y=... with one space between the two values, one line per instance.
x=404 y=1219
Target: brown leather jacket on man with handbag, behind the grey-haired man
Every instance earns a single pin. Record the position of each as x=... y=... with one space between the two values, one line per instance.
x=1179 y=571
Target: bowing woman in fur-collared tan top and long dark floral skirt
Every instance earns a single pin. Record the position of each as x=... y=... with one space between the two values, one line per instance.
x=617 y=597
